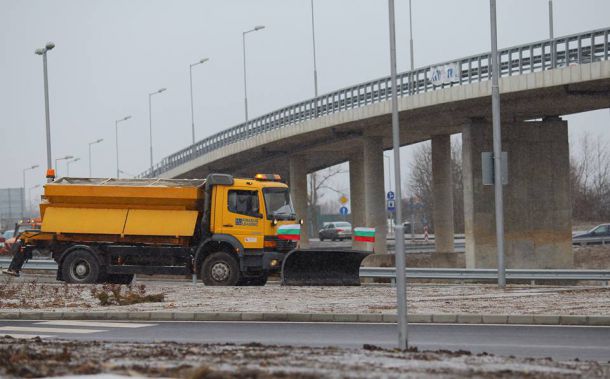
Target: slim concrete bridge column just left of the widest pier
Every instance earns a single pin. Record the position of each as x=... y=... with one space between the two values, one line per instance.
x=442 y=193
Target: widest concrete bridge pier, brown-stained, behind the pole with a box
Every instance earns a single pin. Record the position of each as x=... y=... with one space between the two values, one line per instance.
x=537 y=200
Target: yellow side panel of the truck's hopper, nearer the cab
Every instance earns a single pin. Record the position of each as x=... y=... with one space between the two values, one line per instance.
x=160 y=222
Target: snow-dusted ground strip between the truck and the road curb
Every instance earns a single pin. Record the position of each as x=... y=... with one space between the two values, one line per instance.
x=422 y=299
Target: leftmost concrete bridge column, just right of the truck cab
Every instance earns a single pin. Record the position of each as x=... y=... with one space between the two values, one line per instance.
x=298 y=193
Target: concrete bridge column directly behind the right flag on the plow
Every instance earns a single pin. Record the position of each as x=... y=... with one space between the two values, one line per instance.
x=374 y=196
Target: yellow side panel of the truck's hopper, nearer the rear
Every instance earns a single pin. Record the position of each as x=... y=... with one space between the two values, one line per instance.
x=84 y=220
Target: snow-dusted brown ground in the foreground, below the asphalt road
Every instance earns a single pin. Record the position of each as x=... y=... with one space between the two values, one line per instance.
x=40 y=358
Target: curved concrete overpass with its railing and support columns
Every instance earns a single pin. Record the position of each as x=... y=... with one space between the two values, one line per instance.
x=539 y=82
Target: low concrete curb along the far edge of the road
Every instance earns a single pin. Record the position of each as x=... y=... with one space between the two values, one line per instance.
x=314 y=317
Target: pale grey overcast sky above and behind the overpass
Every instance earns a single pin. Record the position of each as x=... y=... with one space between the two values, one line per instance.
x=110 y=54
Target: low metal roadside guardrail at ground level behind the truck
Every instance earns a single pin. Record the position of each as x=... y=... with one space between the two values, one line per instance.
x=424 y=273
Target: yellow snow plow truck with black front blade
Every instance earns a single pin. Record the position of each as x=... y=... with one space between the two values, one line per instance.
x=223 y=229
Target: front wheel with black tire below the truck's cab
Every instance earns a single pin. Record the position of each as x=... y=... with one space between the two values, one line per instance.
x=220 y=269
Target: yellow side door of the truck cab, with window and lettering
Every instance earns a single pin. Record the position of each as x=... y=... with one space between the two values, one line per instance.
x=243 y=218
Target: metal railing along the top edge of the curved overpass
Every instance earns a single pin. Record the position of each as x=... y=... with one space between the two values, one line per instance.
x=543 y=55
